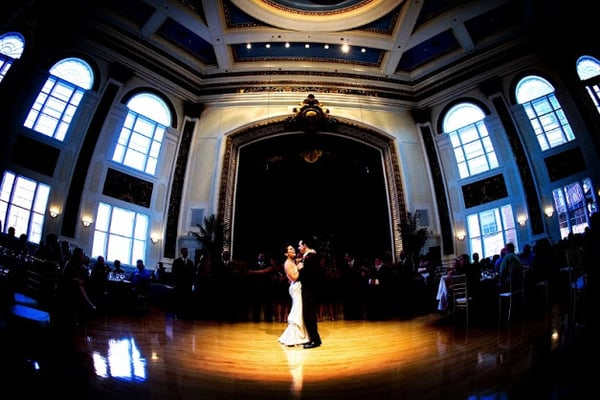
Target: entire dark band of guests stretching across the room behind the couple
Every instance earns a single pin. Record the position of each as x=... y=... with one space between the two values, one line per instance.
x=352 y=288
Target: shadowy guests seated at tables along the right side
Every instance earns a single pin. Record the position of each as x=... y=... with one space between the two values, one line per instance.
x=547 y=272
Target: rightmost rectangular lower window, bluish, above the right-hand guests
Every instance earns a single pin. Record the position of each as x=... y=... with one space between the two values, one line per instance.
x=575 y=203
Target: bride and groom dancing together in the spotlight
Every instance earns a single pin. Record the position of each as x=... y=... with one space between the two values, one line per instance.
x=304 y=285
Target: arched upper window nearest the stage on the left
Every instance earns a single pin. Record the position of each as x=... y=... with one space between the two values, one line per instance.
x=142 y=133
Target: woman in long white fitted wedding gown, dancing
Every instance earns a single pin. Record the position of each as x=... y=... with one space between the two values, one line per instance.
x=295 y=333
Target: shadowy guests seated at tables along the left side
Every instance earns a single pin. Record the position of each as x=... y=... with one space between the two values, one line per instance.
x=80 y=285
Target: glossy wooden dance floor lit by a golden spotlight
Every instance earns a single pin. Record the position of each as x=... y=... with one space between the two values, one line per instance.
x=155 y=356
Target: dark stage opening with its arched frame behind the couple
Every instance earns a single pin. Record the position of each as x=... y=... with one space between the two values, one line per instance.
x=340 y=186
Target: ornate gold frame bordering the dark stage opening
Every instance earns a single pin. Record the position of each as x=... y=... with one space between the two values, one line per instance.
x=343 y=128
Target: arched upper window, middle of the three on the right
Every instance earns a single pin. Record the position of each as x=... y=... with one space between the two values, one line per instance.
x=545 y=113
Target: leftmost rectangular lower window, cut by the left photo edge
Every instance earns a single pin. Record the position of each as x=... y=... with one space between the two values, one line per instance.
x=23 y=204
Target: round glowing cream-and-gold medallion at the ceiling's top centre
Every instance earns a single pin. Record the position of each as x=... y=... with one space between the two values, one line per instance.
x=317 y=16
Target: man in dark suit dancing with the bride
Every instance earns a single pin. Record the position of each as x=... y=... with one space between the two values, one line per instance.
x=309 y=276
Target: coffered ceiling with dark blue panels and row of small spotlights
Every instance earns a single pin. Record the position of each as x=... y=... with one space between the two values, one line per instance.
x=390 y=48
